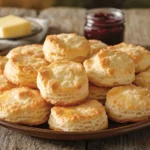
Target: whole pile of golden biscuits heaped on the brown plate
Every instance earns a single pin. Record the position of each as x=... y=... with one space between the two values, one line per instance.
x=75 y=84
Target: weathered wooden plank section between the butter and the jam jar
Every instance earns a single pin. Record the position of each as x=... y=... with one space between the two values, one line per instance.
x=64 y=19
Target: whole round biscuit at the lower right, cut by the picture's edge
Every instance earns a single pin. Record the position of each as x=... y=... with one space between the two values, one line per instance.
x=128 y=103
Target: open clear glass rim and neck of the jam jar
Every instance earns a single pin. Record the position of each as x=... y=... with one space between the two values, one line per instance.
x=105 y=16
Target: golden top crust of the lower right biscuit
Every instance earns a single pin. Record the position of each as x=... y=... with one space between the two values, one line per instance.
x=129 y=98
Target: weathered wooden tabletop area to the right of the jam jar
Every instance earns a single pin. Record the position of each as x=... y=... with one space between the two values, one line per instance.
x=138 y=26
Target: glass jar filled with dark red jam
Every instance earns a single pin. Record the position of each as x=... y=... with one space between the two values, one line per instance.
x=105 y=24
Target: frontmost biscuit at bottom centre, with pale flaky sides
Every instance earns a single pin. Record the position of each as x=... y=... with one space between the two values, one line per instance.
x=88 y=116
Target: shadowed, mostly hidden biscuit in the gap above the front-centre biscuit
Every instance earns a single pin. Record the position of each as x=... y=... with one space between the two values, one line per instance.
x=98 y=93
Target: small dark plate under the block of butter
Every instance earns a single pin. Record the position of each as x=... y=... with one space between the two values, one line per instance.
x=35 y=29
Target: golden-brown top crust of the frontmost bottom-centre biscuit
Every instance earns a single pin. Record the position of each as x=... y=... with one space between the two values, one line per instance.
x=87 y=110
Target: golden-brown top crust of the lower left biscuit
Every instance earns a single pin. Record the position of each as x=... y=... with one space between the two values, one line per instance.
x=19 y=98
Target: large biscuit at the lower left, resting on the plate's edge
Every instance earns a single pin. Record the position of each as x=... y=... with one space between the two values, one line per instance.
x=24 y=106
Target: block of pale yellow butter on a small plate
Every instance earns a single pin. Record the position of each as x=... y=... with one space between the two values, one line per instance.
x=13 y=26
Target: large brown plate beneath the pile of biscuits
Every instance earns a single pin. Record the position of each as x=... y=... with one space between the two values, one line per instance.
x=42 y=131
